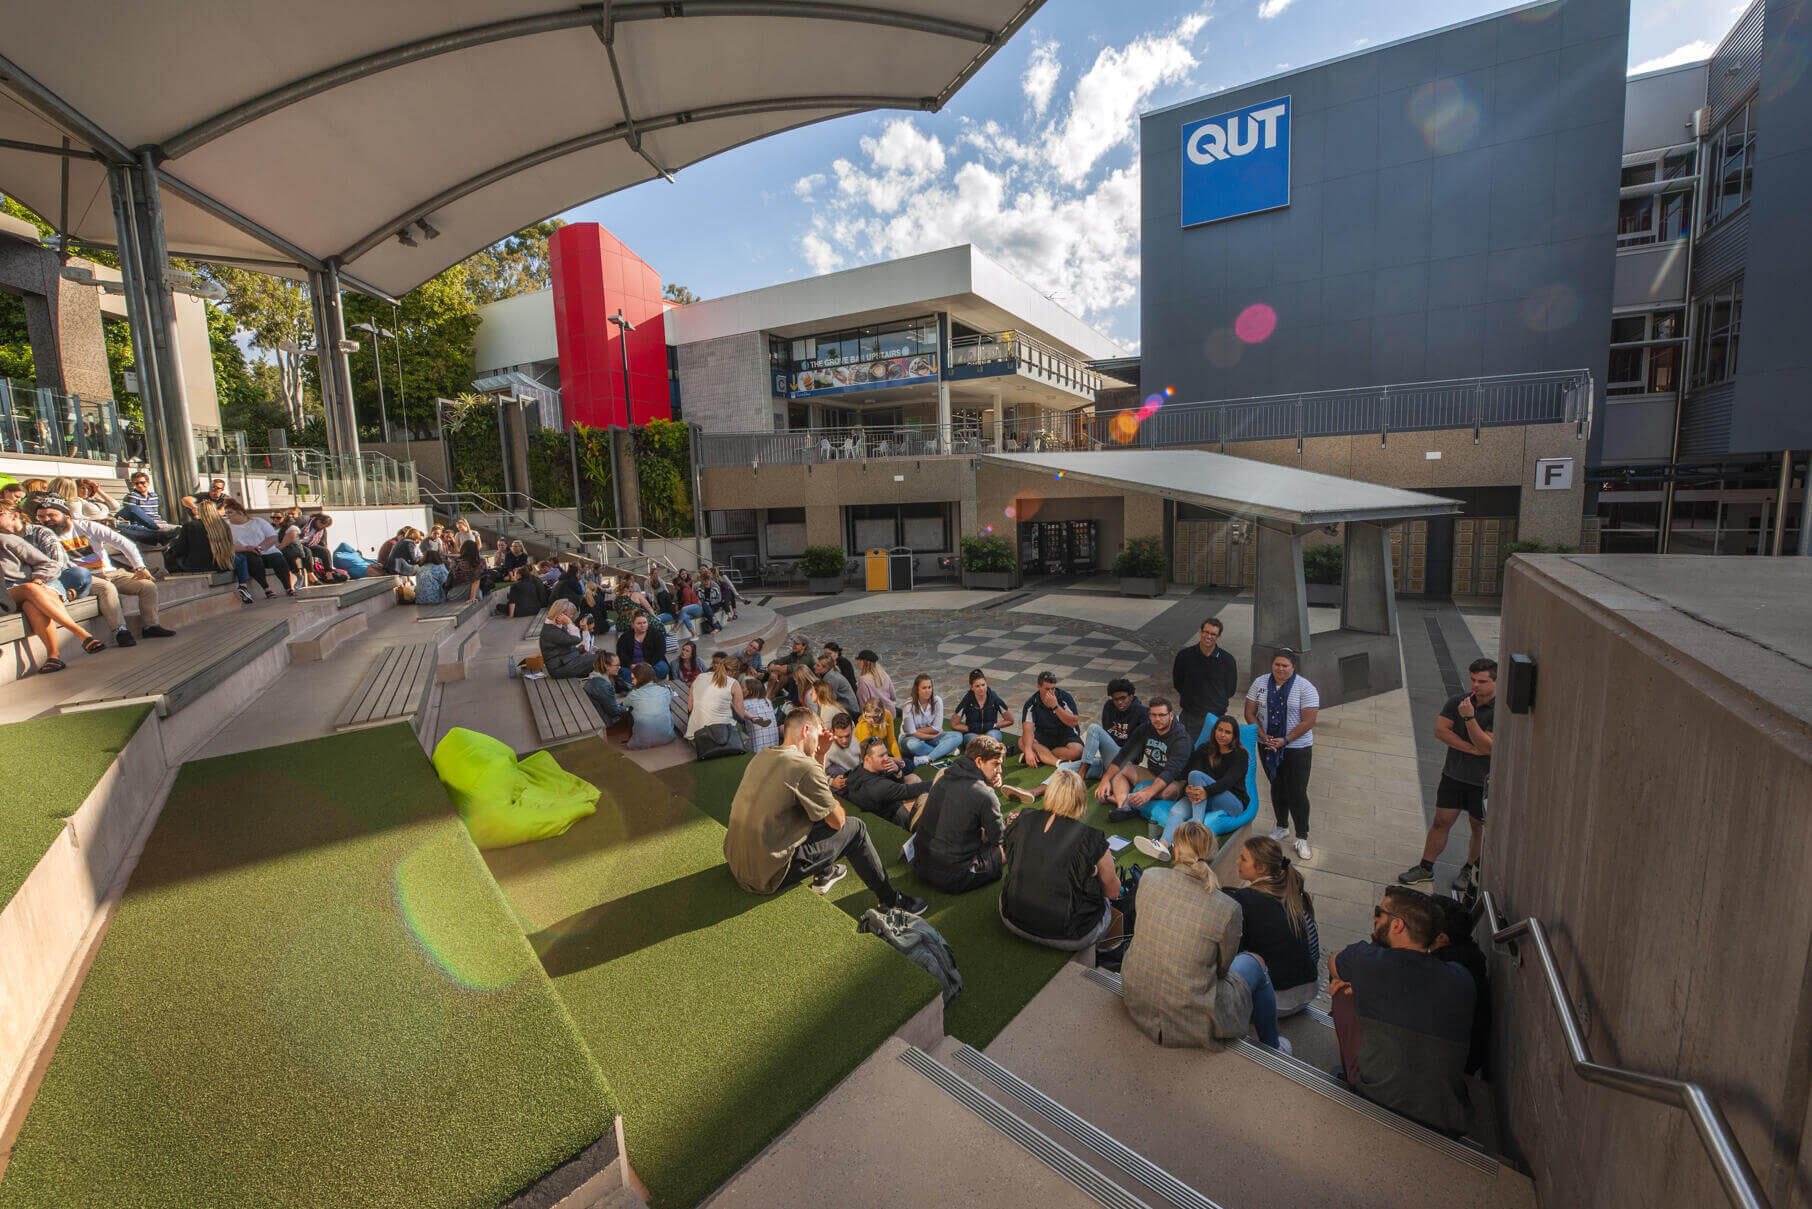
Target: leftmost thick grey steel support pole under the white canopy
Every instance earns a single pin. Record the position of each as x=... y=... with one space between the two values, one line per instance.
x=151 y=314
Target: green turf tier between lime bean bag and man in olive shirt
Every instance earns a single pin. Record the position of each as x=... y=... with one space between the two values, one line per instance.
x=718 y=1016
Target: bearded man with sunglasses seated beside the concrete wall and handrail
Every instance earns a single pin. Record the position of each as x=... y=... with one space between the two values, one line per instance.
x=1403 y=1016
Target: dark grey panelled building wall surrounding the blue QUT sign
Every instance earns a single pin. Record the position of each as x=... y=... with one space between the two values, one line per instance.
x=1452 y=215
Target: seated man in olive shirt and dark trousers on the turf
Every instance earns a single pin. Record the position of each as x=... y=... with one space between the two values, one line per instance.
x=787 y=826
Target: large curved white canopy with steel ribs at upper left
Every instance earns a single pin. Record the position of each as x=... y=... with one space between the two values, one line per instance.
x=298 y=135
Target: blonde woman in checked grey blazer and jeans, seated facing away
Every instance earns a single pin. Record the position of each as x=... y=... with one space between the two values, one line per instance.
x=1184 y=976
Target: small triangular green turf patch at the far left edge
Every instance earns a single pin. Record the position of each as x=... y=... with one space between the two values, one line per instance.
x=52 y=766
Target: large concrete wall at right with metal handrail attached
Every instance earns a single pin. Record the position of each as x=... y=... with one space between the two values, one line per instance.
x=1652 y=811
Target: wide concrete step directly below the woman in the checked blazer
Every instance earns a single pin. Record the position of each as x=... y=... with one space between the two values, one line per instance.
x=1242 y=1127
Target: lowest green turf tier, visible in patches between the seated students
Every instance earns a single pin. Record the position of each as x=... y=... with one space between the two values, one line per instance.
x=999 y=971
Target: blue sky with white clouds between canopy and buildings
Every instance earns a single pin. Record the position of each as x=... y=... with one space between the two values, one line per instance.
x=1037 y=159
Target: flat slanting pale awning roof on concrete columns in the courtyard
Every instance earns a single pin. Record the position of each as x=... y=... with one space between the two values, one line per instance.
x=1237 y=487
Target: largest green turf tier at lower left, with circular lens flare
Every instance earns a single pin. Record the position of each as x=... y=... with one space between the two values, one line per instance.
x=313 y=994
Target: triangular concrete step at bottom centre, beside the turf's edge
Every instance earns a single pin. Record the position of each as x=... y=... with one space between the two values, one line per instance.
x=905 y=1132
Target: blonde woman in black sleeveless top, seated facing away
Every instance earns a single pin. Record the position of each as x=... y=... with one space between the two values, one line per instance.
x=1061 y=878
